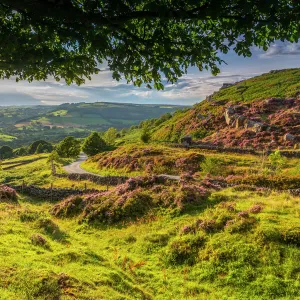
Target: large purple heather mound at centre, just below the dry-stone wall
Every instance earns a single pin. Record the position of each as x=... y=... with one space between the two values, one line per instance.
x=132 y=200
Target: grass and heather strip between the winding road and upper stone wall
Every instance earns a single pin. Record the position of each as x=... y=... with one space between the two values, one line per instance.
x=166 y=157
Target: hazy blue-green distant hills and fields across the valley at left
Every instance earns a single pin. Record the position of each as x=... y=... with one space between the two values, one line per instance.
x=22 y=125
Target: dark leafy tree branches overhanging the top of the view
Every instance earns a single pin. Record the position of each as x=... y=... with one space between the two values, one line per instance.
x=141 y=40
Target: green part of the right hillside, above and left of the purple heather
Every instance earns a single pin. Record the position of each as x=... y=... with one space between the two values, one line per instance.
x=284 y=83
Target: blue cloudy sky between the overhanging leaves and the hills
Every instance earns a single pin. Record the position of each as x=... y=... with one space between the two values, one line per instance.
x=190 y=89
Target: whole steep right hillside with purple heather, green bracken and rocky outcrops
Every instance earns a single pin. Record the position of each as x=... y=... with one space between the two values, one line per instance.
x=264 y=110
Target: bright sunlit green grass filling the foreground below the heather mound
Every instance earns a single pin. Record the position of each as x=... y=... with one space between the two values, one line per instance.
x=136 y=261
